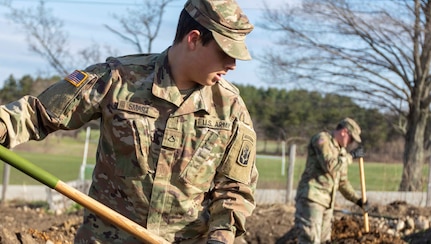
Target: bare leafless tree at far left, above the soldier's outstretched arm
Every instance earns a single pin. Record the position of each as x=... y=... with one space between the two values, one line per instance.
x=47 y=38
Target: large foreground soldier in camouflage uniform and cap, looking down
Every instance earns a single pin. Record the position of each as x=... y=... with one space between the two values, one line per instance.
x=176 y=152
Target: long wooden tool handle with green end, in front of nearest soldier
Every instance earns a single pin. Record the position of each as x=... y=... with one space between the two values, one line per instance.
x=98 y=208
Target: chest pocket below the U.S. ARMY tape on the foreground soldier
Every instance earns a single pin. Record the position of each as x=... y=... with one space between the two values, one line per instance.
x=202 y=166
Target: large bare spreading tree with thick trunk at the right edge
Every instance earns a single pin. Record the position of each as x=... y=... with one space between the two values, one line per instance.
x=379 y=53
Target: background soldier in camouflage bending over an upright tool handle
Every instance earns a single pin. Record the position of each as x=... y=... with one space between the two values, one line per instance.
x=325 y=173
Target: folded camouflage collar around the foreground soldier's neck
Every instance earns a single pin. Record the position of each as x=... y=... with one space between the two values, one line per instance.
x=165 y=88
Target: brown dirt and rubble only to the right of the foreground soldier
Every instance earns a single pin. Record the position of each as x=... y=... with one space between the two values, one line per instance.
x=273 y=224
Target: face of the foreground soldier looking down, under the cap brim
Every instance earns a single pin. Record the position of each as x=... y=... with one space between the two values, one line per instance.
x=211 y=64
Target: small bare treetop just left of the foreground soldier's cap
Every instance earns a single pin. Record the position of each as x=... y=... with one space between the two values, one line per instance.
x=140 y=26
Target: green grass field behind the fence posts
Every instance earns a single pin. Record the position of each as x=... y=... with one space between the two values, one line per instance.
x=378 y=176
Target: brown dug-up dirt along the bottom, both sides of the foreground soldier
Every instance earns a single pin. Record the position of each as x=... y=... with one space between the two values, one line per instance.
x=30 y=223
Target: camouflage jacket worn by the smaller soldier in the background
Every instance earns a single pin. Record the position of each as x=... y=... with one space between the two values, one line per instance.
x=326 y=172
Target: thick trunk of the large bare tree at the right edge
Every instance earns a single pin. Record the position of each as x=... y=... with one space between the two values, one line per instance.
x=414 y=151
